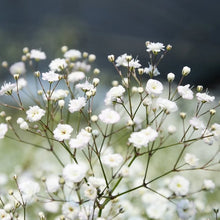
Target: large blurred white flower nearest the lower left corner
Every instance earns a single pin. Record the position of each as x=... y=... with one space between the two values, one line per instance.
x=28 y=189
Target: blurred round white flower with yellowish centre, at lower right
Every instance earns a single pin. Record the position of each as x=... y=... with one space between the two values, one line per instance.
x=179 y=185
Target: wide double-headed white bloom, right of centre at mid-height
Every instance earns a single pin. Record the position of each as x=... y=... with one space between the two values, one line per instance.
x=142 y=138
